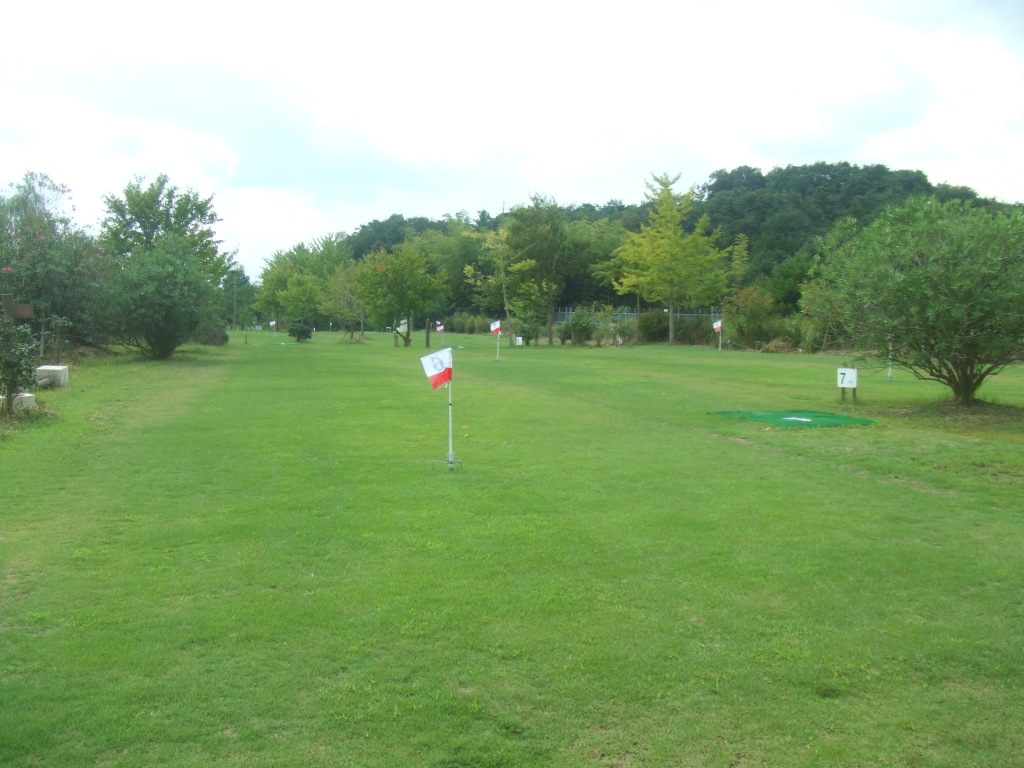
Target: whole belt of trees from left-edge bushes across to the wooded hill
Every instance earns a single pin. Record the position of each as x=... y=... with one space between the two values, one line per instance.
x=746 y=244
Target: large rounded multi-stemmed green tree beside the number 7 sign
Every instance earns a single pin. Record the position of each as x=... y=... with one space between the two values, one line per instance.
x=933 y=288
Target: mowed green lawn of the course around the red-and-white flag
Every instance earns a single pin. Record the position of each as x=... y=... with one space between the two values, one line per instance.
x=249 y=558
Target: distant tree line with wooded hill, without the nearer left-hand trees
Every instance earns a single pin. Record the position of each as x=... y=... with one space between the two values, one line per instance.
x=526 y=263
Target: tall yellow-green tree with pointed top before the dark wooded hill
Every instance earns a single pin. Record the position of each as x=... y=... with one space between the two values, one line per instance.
x=664 y=264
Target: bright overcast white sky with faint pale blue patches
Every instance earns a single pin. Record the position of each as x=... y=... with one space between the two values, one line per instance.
x=305 y=119
